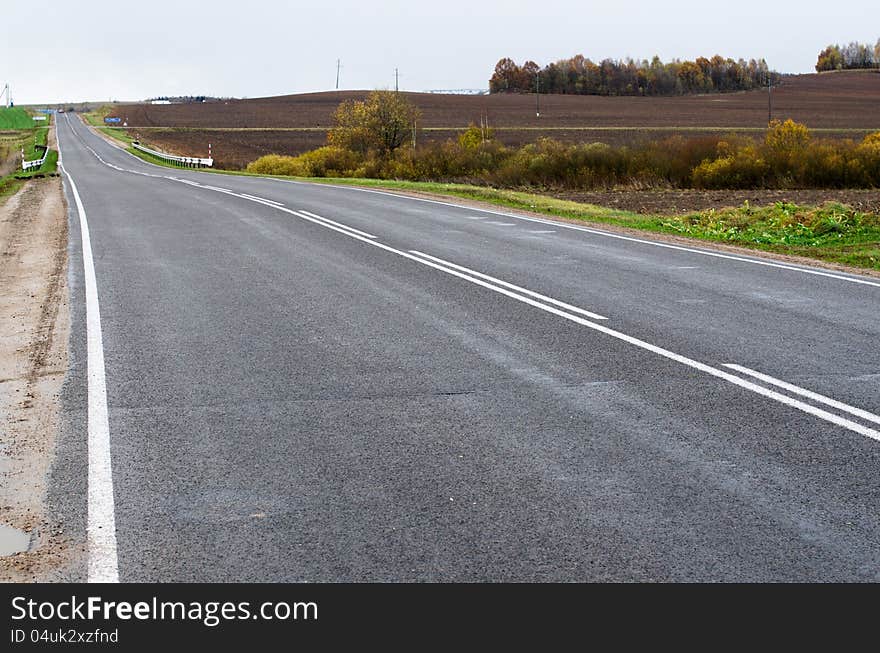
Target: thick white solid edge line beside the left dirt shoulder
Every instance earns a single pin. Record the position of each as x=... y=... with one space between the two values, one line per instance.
x=103 y=566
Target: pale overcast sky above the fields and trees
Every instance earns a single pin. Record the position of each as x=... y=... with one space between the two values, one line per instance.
x=72 y=51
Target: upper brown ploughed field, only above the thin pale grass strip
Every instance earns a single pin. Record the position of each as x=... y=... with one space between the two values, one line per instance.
x=832 y=100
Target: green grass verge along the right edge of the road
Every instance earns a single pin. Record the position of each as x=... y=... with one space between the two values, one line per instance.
x=834 y=233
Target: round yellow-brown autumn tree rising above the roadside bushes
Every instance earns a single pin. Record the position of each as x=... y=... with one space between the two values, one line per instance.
x=381 y=123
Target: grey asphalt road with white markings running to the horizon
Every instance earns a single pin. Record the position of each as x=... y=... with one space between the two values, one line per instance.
x=292 y=400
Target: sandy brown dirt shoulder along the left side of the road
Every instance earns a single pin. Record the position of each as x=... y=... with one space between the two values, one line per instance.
x=34 y=329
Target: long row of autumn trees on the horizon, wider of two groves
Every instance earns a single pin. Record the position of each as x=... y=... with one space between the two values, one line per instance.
x=581 y=76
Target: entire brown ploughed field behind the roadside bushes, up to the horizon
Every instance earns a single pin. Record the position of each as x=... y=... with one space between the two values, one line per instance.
x=840 y=105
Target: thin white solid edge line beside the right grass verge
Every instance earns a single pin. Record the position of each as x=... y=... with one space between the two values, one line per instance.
x=597 y=232
